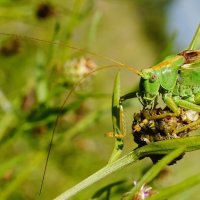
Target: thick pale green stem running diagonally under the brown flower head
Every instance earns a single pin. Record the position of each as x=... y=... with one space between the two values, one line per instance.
x=162 y=147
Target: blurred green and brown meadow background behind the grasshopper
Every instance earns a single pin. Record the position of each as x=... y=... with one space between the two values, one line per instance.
x=35 y=77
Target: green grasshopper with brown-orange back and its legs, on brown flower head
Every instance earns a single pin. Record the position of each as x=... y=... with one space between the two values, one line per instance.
x=176 y=78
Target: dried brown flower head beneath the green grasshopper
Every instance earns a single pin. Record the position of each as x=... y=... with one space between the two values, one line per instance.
x=148 y=127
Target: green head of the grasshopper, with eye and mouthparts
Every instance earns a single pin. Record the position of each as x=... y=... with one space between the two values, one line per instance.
x=149 y=86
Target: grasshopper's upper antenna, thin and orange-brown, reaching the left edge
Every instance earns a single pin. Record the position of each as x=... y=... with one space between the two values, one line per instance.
x=75 y=48
